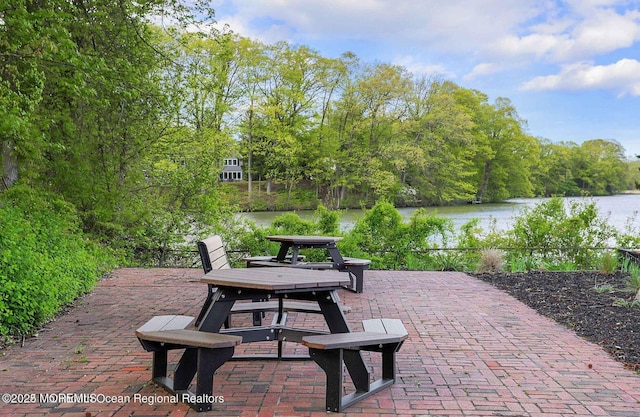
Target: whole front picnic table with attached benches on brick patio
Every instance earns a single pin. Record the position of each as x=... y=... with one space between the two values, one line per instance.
x=208 y=346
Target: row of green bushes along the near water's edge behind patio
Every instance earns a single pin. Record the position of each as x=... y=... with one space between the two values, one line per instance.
x=552 y=236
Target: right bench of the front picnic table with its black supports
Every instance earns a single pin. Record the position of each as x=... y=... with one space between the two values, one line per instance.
x=329 y=351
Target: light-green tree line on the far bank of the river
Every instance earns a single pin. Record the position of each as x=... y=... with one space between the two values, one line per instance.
x=377 y=130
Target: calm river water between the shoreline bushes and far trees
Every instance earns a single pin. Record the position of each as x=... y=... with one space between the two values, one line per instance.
x=620 y=210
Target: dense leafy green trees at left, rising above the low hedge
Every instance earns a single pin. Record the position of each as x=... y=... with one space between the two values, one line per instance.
x=88 y=103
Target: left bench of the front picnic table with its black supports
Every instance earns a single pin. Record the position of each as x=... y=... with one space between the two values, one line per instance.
x=204 y=354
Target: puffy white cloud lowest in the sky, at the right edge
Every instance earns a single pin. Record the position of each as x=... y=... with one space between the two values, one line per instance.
x=622 y=77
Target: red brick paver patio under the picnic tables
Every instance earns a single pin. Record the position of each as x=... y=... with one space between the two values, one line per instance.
x=472 y=351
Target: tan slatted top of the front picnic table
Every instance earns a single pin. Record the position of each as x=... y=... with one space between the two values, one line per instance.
x=276 y=279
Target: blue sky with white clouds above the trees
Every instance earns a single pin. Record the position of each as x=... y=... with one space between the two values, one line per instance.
x=571 y=68
